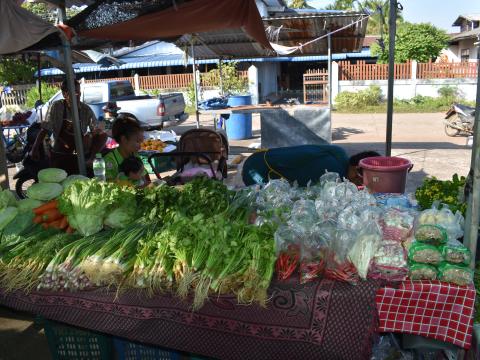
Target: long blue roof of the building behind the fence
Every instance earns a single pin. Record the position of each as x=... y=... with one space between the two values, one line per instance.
x=160 y=54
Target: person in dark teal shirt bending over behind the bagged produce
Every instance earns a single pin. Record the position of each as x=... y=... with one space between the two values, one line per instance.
x=302 y=164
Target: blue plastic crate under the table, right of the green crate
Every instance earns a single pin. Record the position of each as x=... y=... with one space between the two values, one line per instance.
x=127 y=350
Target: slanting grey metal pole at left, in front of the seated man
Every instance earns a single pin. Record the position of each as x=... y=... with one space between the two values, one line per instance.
x=67 y=53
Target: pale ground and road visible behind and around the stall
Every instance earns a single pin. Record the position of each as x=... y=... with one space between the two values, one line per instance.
x=418 y=137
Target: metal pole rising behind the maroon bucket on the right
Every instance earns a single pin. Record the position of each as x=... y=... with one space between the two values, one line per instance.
x=392 y=29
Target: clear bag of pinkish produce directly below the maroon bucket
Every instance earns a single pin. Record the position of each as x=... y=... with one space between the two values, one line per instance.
x=397 y=224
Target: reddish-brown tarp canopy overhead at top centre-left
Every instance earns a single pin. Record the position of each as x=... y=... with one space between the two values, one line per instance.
x=153 y=20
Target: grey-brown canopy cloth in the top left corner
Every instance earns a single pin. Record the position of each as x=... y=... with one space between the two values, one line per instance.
x=20 y=28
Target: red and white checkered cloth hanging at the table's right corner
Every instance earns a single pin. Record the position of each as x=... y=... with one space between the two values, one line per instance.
x=429 y=308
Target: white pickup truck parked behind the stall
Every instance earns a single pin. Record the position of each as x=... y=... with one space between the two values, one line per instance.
x=151 y=111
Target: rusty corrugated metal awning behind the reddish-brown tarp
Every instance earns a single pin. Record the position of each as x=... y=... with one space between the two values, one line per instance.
x=286 y=30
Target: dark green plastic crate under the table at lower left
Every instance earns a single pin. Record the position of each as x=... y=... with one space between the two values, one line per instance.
x=67 y=342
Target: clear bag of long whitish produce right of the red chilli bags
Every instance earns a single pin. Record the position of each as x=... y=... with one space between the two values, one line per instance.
x=365 y=247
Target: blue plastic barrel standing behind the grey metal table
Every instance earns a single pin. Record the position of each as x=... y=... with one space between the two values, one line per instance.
x=239 y=126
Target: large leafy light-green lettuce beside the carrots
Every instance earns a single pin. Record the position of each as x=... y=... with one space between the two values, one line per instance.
x=88 y=203
